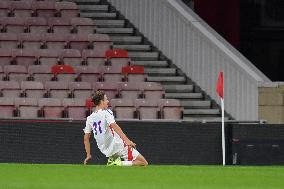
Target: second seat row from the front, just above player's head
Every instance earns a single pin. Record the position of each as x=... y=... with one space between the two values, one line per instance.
x=56 y=89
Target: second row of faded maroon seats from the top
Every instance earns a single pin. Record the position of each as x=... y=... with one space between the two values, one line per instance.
x=47 y=25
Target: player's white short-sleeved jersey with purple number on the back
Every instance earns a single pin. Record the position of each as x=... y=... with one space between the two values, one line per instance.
x=107 y=139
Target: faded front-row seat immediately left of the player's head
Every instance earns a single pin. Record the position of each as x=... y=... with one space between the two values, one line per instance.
x=75 y=107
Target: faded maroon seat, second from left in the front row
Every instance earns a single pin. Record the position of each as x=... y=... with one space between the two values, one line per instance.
x=27 y=107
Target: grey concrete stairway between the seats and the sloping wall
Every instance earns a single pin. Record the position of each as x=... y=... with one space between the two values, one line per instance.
x=197 y=105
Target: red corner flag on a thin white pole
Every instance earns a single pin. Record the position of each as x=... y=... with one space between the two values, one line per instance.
x=220 y=92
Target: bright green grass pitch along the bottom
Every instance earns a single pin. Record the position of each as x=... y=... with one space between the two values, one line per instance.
x=42 y=176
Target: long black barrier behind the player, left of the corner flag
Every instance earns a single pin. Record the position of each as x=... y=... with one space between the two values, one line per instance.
x=160 y=143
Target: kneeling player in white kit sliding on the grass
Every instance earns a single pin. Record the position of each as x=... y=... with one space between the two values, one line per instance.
x=111 y=140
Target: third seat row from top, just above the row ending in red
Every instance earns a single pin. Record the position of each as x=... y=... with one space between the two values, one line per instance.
x=98 y=42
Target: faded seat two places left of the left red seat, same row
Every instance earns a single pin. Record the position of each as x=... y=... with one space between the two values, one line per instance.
x=16 y=72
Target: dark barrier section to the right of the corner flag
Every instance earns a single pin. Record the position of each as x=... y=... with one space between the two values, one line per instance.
x=258 y=144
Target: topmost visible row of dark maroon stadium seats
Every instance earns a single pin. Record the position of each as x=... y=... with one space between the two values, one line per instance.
x=48 y=8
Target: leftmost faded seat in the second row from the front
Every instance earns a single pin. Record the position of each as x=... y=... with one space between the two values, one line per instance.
x=10 y=89
